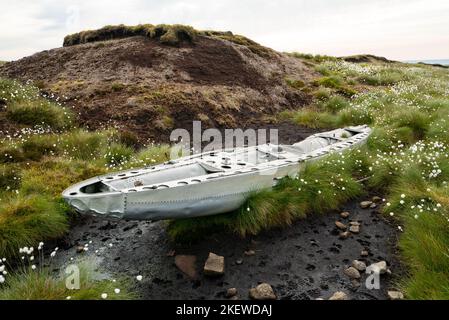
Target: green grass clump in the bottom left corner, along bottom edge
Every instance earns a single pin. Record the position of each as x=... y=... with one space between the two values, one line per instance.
x=43 y=284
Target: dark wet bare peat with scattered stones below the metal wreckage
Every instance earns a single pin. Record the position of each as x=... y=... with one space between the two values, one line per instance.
x=304 y=261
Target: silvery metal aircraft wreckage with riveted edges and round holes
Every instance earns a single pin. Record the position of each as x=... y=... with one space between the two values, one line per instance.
x=204 y=184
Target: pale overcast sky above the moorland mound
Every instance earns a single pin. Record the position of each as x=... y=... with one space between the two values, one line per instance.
x=397 y=29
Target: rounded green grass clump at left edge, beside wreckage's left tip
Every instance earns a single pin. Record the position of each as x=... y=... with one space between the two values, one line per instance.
x=26 y=220
